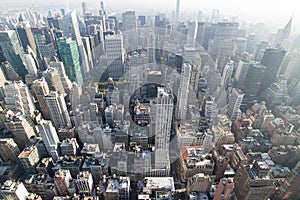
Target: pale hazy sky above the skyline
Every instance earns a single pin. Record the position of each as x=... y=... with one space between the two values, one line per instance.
x=275 y=12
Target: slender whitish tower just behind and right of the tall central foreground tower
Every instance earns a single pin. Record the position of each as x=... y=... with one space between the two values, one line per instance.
x=183 y=93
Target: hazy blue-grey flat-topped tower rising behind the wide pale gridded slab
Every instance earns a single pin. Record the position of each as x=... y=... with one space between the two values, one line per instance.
x=129 y=24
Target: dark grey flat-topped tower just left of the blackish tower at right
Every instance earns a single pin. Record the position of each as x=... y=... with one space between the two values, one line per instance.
x=253 y=81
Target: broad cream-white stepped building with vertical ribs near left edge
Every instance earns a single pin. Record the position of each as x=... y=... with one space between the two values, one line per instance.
x=18 y=98
